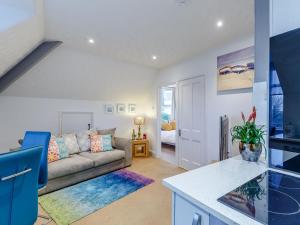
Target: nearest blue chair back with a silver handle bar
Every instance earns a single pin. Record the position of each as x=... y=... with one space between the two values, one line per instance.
x=19 y=186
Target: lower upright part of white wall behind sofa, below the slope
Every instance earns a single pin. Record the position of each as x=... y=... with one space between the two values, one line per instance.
x=19 y=114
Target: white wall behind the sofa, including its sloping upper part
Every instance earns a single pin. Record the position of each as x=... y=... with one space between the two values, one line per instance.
x=70 y=80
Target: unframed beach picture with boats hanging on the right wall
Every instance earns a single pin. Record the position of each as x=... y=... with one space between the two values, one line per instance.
x=236 y=70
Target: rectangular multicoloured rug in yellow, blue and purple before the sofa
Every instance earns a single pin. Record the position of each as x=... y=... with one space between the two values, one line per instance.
x=73 y=203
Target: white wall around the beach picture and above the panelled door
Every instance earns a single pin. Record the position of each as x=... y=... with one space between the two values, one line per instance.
x=230 y=103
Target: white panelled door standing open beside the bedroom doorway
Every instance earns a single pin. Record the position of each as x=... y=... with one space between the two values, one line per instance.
x=191 y=123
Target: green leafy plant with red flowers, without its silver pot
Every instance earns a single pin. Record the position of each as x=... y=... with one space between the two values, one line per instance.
x=249 y=132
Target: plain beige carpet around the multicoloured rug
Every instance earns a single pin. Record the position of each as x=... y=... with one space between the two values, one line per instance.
x=150 y=205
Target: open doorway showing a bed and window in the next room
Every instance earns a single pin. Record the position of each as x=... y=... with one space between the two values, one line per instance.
x=167 y=123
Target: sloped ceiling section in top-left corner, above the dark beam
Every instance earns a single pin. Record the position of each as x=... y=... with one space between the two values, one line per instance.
x=21 y=30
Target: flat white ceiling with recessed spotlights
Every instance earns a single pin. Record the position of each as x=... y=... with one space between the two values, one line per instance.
x=134 y=30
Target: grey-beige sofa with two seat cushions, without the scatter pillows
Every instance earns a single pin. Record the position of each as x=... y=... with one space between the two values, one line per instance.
x=86 y=165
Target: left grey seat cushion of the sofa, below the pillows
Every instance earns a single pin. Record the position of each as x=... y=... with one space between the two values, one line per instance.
x=73 y=164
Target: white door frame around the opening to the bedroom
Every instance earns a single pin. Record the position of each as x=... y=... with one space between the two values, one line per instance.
x=158 y=113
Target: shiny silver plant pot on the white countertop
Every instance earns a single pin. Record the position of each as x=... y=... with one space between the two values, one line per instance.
x=250 y=152
